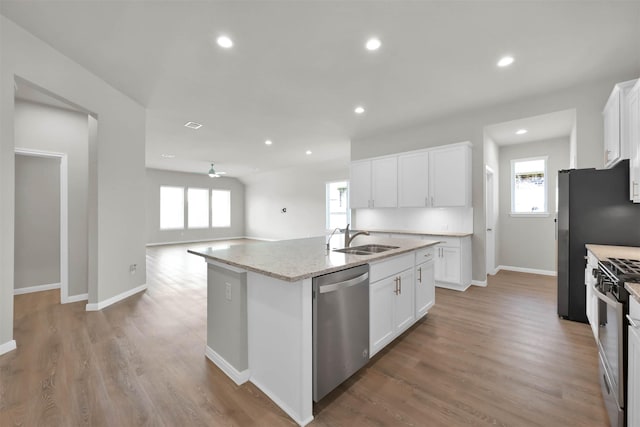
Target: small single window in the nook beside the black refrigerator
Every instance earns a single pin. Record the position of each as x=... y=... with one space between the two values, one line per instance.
x=529 y=186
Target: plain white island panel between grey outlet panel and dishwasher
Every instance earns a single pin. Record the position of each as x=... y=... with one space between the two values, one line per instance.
x=280 y=342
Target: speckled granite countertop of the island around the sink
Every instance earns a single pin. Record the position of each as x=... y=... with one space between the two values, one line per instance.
x=294 y=260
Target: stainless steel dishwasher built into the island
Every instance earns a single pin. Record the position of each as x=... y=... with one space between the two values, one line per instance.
x=340 y=327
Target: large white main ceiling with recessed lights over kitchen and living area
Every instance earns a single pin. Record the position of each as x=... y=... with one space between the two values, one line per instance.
x=298 y=68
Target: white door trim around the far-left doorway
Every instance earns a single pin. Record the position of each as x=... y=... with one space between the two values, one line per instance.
x=64 y=215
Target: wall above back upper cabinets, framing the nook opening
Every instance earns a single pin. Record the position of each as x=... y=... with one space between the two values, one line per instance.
x=587 y=99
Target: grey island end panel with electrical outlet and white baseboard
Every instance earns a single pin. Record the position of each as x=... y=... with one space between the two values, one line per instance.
x=227 y=343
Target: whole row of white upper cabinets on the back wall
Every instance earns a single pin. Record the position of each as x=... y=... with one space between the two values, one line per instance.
x=439 y=177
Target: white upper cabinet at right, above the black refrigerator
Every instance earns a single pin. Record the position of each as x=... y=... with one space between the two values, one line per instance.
x=616 y=116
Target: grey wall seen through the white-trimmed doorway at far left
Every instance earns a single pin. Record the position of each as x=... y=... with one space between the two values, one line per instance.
x=37 y=229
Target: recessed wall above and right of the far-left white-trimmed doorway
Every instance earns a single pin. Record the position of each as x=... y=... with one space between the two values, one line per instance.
x=46 y=128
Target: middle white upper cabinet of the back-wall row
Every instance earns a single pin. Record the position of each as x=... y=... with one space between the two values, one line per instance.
x=413 y=180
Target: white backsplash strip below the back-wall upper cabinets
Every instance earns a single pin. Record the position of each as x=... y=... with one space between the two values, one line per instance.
x=436 y=220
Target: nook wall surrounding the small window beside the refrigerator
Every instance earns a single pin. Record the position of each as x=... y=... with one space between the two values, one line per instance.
x=529 y=242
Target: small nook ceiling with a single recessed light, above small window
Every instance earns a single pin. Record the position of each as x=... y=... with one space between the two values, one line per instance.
x=539 y=128
